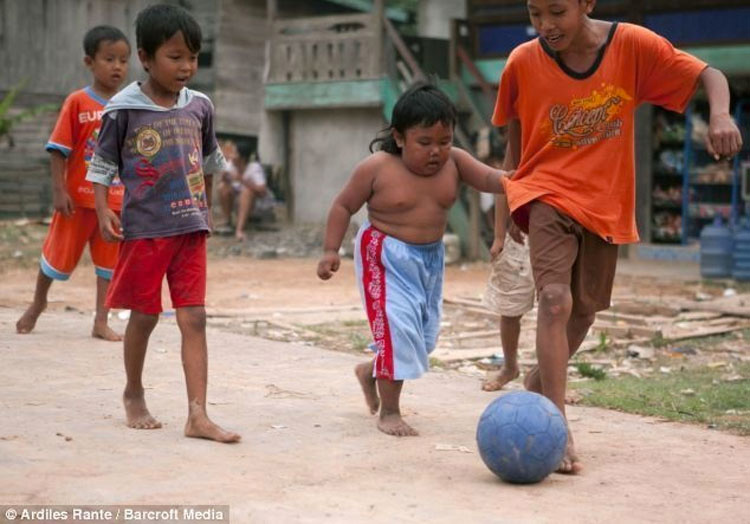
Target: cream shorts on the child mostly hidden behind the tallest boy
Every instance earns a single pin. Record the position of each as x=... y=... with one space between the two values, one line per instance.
x=510 y=289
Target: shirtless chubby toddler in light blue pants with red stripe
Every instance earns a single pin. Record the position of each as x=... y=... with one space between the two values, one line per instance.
x=408 y=186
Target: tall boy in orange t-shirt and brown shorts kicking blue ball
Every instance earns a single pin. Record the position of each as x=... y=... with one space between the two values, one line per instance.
x=568 y=99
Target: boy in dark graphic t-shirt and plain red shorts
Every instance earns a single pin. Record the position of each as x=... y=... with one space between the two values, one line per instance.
x=159 y=135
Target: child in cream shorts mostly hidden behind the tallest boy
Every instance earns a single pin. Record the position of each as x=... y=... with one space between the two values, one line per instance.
x=510 y=288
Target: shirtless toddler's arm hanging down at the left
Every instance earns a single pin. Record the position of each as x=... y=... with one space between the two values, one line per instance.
x=356 y=192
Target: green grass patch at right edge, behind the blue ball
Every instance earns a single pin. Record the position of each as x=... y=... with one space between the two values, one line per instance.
x=691 y=395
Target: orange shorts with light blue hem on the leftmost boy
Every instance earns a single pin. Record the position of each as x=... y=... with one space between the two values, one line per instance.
x=66 y=239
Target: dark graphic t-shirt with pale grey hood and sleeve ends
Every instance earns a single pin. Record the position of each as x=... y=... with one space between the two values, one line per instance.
x=160 y=155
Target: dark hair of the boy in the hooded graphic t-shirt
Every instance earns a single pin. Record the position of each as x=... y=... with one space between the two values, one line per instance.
x=158 y=23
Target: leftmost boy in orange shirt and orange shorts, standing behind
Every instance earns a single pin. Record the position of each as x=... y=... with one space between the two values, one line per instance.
x=74 y=222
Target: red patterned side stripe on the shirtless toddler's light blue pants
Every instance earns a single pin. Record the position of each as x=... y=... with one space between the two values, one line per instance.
x=373 y=280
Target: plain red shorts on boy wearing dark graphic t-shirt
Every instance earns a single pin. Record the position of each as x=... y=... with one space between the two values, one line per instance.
x=141 y=267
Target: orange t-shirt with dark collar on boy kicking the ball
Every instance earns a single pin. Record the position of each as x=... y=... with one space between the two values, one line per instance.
x=577 y=129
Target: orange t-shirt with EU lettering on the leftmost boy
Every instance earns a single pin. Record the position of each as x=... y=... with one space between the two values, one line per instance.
x=75 y=137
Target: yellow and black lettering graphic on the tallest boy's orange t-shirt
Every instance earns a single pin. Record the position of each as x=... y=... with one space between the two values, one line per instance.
x=586 y=121
